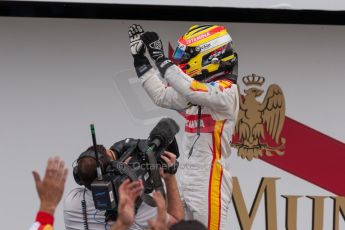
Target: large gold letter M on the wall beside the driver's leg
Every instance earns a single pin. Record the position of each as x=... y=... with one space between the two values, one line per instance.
x=268 y=187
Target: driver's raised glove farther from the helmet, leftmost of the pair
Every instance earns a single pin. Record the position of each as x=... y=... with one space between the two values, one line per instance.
x=141 y=63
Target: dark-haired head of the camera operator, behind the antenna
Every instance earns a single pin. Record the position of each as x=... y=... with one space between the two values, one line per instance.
x=87 y=171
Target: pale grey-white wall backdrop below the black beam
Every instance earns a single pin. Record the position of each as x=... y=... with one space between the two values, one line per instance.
x=59 y=75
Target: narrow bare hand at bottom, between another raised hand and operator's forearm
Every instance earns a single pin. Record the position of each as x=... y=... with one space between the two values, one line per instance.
x=160 y=223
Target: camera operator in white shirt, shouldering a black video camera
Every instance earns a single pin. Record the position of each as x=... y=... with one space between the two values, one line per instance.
x=79 y=209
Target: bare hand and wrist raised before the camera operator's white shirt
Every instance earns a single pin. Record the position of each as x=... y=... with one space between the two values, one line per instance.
x=128 y=193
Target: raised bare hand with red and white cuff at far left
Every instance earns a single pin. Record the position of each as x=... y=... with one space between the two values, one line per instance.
x=50 y=191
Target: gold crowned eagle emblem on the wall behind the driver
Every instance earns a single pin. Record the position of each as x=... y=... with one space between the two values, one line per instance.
x=259 y=124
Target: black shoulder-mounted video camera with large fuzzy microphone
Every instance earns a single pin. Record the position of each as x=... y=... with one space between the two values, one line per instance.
x=144 y=165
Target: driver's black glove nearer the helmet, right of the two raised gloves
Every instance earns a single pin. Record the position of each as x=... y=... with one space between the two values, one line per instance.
x=155 y=48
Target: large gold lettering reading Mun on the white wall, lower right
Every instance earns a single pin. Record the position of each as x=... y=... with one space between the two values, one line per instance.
x=267 y=188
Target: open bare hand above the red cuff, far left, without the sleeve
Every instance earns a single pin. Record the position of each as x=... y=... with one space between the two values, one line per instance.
x=51 y=188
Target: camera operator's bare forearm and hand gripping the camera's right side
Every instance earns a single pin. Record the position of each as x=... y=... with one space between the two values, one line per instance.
x=175 y=208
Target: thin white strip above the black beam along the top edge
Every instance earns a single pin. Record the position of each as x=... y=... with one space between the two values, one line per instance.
x=275 y=4
